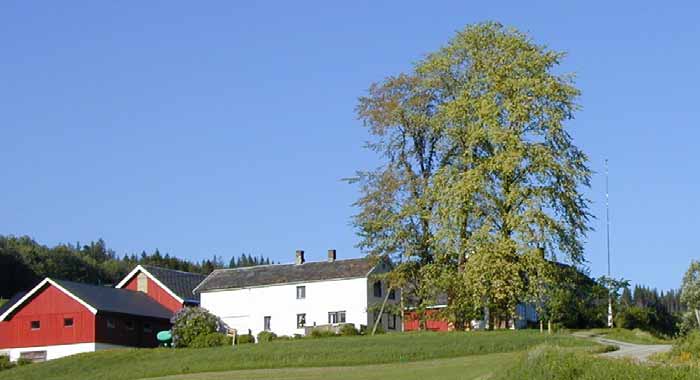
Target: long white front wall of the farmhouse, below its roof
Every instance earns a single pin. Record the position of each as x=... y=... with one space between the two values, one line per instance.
x=246 y=308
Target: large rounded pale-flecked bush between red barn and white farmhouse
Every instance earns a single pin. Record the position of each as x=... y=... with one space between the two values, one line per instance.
x=192 y=322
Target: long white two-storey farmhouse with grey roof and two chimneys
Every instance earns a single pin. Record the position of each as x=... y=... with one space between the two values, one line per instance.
x=288 y=299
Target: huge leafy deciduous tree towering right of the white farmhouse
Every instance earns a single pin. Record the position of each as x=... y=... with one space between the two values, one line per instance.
x=480 y=176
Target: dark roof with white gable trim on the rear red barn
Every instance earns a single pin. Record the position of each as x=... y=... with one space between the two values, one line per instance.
x=178 y=283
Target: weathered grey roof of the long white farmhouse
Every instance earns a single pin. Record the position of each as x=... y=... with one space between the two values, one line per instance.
x=285 y=273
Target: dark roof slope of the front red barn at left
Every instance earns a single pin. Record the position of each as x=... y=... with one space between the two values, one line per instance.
x=124 y=301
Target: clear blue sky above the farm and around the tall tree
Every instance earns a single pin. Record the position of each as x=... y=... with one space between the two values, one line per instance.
x=222 y=128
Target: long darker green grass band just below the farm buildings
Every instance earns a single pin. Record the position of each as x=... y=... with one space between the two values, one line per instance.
x=329 y=352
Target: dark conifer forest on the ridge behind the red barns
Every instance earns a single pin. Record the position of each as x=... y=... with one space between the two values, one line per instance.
x=24 y=262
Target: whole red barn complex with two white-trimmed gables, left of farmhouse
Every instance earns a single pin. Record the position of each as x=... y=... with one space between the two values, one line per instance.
x=61 y=318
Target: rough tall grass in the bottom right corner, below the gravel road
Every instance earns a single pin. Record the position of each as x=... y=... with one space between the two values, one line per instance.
x=548 y=362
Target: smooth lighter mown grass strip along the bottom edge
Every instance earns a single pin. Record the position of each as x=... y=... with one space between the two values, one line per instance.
x=468 y=367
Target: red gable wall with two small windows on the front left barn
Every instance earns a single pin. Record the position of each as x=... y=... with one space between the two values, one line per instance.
x=49 y=306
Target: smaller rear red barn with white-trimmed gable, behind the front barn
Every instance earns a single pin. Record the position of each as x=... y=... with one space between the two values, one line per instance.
x=171 y=288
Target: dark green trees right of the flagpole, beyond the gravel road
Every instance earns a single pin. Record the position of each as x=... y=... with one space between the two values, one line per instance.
x=650 y=310
